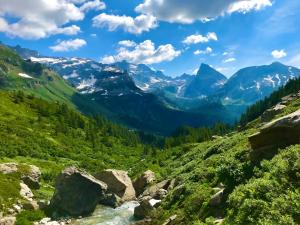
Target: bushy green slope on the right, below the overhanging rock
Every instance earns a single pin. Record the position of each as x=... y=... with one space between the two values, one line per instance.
x=264 y=191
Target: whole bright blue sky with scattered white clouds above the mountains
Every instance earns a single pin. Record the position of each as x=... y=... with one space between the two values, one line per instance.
x=170 y=35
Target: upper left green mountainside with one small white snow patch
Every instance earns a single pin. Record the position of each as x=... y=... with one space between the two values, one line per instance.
x=33 y=78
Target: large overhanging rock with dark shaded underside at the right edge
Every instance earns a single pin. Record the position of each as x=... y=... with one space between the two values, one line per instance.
x=279 y=133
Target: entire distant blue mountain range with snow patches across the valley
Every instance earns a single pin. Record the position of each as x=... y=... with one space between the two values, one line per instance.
x=147 y=99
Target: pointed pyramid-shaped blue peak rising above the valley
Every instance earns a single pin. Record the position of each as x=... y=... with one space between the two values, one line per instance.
x=207 y=82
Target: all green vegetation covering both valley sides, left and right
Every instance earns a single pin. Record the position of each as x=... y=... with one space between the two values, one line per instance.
x=39 y=125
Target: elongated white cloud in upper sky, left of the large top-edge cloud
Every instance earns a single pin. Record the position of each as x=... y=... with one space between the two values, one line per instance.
x=129 y=24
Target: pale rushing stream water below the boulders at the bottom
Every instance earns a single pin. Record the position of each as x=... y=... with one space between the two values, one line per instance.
x=122 y=215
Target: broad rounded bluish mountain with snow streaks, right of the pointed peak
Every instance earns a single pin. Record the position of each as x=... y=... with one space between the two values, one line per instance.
x=251 y=84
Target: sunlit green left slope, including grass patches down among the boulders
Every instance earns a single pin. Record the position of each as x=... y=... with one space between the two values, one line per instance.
x=29 y=137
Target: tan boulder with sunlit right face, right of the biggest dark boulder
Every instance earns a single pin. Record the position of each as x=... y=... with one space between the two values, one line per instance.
x=118 y=182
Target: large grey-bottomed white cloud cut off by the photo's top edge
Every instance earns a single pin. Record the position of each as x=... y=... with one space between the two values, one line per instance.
x=188 y=11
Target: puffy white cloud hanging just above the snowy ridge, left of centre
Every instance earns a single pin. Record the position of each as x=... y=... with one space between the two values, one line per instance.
x=145 y=53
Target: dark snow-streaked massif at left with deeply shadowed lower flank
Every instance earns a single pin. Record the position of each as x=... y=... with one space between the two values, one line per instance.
x=113 y=88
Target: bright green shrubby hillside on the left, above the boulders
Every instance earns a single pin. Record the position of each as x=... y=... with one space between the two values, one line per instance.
x=36 y=128
